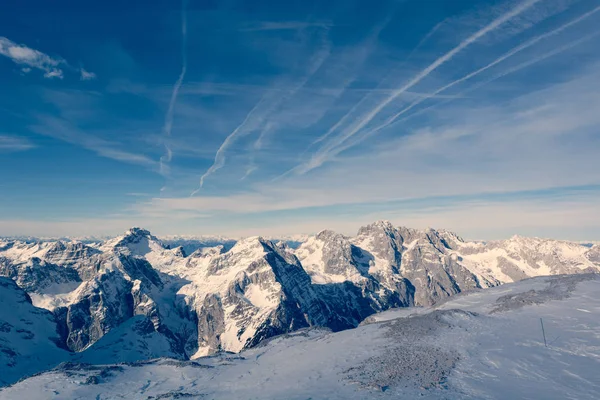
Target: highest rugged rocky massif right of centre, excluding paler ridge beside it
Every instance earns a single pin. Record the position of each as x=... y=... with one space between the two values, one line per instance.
x=406 y=265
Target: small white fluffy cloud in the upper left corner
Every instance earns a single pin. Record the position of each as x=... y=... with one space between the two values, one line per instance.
x=53 y=67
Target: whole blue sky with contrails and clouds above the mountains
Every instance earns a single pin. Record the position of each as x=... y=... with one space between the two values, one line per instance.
x=269 y=117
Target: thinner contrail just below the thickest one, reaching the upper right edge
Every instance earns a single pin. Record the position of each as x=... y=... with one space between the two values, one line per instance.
x=497 y=61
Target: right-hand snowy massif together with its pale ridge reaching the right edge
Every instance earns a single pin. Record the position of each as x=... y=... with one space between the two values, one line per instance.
x=428 y=265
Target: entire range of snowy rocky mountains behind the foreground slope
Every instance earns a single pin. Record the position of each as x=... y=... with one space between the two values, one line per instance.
x=135 y=297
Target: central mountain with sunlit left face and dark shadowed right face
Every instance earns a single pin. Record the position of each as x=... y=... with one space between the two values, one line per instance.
x=258 y=290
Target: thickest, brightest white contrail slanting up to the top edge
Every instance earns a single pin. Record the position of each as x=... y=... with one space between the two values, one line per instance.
x=322 y=154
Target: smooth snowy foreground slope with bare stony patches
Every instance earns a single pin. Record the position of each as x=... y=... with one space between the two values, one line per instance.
x=484 y=344
